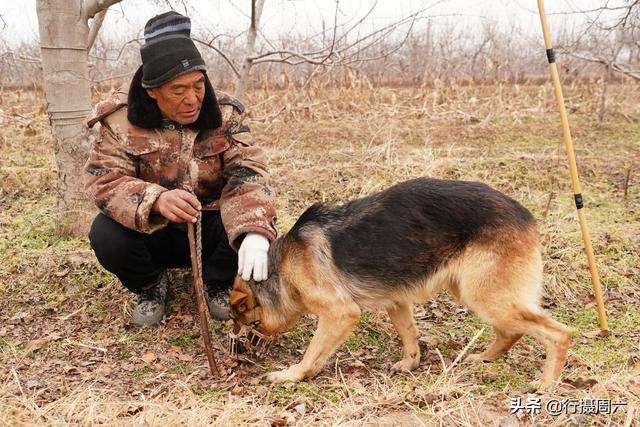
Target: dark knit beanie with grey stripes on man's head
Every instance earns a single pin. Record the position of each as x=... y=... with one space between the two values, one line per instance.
x=168 y=51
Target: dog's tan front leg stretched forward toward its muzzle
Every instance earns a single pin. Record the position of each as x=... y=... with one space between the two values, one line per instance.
x=334 y=326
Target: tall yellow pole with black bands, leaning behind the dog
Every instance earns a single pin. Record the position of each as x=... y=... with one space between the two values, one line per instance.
x=573 y=170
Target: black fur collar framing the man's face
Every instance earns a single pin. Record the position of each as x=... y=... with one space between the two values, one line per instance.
x=143 y=111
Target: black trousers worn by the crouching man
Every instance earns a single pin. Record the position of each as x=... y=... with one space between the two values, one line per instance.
x=138 y=259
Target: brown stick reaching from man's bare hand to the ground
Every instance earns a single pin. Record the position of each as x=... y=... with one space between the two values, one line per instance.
x=195 y=249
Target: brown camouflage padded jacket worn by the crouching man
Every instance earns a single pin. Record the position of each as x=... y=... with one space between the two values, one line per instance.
x=129 y=167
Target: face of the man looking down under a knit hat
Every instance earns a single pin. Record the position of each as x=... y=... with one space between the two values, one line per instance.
x=180 y=99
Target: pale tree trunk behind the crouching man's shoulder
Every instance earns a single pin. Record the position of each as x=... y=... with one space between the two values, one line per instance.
x=64 y=32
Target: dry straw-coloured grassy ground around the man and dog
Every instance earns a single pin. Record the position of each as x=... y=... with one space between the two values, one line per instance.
x=68 y=355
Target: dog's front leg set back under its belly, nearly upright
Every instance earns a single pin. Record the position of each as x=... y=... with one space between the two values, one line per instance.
x=402 y=318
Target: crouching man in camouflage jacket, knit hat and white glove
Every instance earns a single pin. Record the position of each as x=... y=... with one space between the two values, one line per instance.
x=169 y=150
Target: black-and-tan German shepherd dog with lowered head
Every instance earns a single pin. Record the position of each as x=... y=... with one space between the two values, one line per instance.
x=396 y=248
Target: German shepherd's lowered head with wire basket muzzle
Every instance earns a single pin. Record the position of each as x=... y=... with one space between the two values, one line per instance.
x=248 y=334
